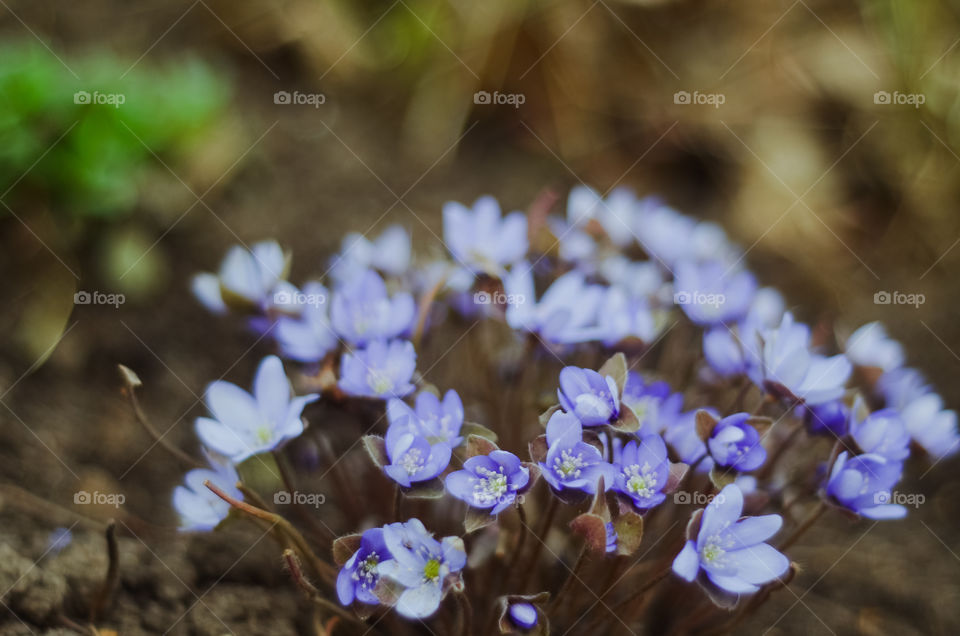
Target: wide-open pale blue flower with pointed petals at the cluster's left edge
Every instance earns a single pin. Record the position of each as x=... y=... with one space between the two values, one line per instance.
x=245 y=424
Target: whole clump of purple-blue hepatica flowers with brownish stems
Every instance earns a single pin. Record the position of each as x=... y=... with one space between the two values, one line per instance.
x=762 y=407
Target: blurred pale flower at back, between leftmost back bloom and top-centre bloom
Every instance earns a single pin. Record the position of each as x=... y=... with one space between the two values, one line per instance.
x=388 y=253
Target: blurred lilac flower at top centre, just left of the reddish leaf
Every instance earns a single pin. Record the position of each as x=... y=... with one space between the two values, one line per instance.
x=479 y=239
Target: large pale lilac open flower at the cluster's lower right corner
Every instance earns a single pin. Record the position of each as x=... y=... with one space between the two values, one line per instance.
x=729 y=553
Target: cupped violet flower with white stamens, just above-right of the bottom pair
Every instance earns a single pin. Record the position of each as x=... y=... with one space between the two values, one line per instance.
x=489 y=481
